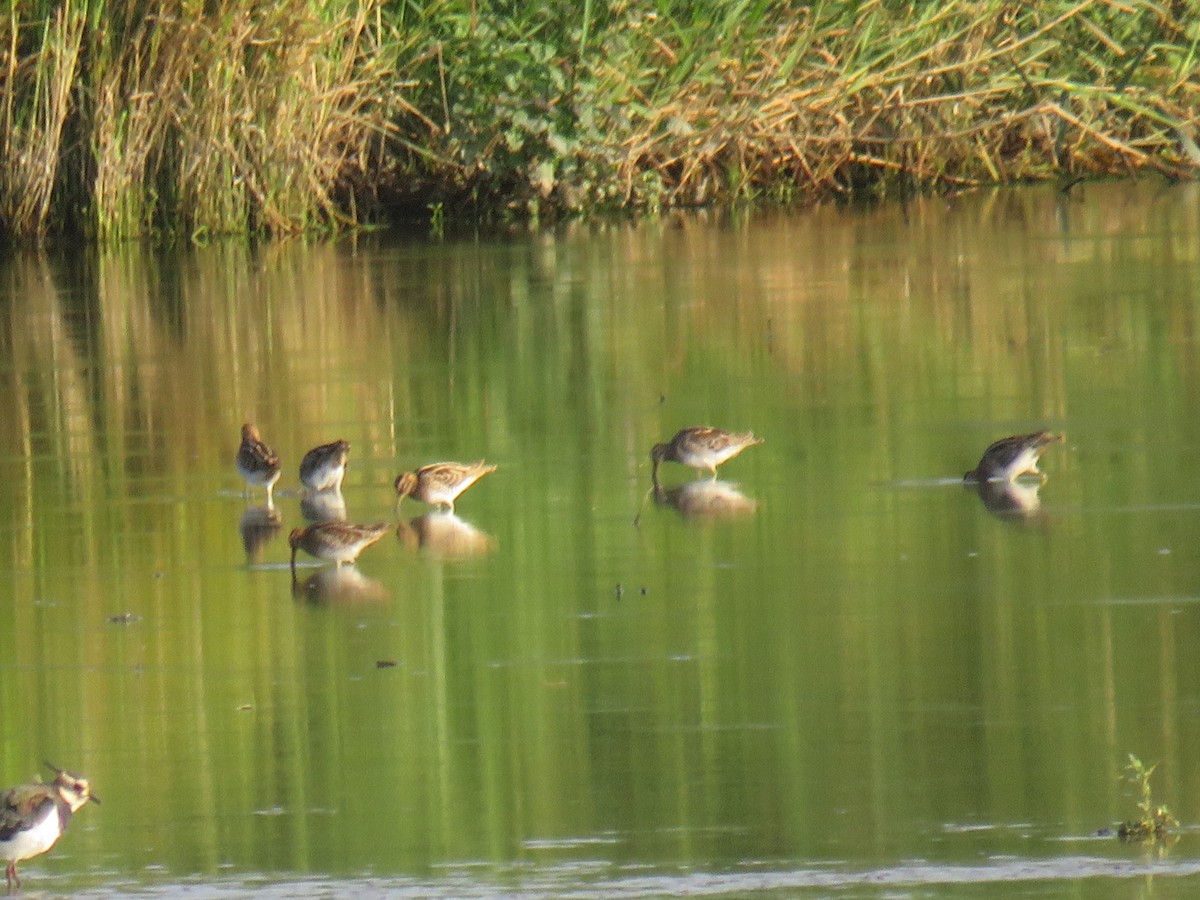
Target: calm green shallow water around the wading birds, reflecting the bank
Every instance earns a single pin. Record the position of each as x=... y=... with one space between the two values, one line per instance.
x=837 y=671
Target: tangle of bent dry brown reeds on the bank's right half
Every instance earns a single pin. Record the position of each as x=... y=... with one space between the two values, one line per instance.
x=853 y=106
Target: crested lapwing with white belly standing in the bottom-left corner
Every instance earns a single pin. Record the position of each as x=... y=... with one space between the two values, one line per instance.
x=33 y=818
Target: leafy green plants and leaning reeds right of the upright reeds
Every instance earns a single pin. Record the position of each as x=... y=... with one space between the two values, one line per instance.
x=693 y=104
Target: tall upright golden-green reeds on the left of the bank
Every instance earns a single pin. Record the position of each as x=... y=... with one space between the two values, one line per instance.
x=127 y=119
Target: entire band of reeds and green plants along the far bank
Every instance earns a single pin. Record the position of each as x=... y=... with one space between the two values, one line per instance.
x=125 y=119
